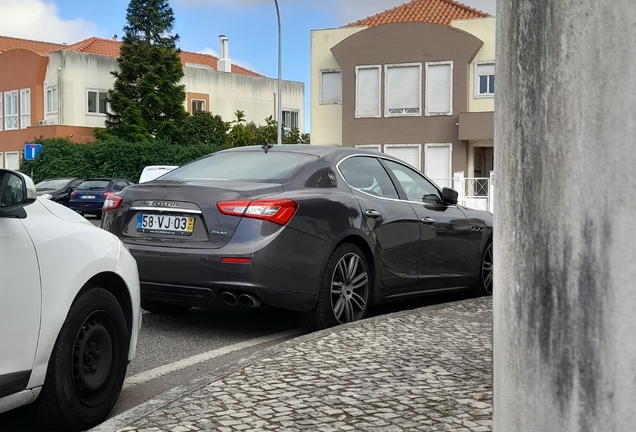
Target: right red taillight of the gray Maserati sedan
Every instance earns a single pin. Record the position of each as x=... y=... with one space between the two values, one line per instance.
x=279 y=211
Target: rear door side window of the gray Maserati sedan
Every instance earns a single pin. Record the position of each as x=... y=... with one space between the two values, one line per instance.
x=367 y=174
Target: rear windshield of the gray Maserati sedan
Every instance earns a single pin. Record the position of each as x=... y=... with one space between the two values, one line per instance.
x=243 y=165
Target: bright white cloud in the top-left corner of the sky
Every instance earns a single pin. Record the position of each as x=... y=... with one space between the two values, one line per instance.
x=38 y=20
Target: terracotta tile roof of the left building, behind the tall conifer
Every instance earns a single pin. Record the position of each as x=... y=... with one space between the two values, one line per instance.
x=109 y=48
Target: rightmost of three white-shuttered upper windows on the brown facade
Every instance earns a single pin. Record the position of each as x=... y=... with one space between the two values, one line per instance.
x=439 y=88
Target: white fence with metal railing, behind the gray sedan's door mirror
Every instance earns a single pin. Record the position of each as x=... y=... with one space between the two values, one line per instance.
x=475 y=192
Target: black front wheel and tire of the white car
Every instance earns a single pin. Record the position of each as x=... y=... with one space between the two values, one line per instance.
x=80 y=390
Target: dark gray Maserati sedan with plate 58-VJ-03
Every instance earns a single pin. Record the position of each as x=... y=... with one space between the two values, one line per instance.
x=324 y=231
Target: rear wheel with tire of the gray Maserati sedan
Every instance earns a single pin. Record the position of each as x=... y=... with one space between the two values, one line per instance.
x=345 y=290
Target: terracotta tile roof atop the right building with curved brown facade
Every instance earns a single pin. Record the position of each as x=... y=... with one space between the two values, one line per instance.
x=431 y=11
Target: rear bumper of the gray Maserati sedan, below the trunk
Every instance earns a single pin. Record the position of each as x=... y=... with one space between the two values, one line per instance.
x=284 y=273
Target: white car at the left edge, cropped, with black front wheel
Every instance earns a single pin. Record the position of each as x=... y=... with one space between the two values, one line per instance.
x=69 y=310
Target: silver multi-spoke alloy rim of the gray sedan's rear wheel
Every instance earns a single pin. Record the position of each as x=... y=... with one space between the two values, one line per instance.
x=349 y=288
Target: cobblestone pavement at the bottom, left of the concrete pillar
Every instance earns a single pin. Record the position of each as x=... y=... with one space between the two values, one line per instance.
x=428 y=370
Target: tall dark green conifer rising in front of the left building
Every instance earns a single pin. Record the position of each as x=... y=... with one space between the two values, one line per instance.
x=147 y=100
